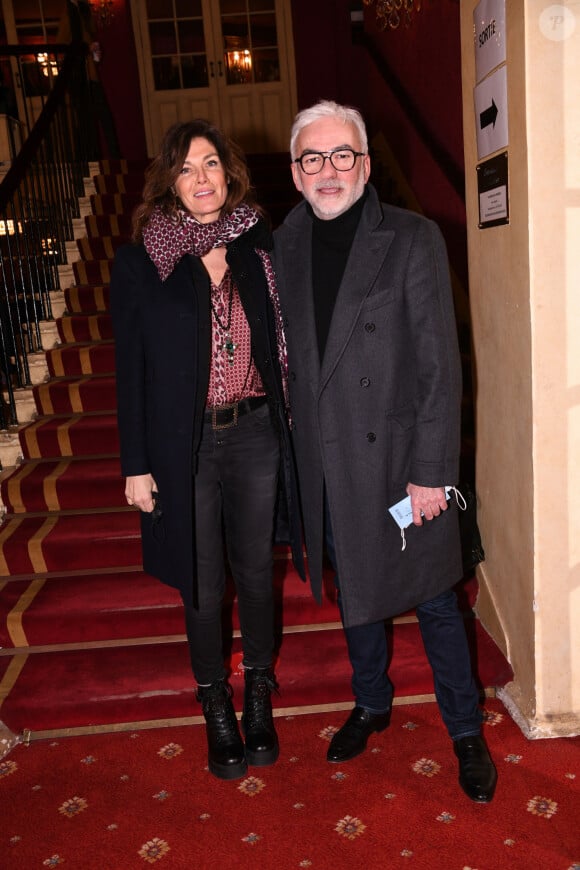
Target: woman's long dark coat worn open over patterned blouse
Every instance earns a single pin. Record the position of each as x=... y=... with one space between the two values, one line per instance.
x=163 y=344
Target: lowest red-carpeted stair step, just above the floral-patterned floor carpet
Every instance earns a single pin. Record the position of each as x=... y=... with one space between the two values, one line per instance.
x=151 y=680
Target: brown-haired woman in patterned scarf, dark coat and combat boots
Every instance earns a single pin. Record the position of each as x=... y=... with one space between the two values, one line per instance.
x=201 y=406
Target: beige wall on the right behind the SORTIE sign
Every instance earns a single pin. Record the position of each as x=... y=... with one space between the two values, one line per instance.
x=525 y=298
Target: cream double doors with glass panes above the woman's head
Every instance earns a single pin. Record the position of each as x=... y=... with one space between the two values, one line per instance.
x=230 y=61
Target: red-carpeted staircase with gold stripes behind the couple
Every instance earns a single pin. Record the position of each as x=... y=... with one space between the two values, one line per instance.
x=90 y=642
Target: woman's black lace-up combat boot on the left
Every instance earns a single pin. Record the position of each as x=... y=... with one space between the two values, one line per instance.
x=225 y=749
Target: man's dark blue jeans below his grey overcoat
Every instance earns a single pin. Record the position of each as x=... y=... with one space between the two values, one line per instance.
x=445 y=642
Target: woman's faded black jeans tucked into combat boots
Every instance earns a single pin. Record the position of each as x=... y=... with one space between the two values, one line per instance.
x=235 y=496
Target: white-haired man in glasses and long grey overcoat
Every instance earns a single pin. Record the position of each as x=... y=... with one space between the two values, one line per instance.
x=375 y=391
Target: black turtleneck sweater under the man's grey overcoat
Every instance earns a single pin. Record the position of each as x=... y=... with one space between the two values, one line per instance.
x=331 y=244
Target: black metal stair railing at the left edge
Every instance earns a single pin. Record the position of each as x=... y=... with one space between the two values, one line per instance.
x=46 y=142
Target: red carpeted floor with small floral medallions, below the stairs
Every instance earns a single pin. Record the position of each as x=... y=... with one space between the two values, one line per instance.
x=144 y=798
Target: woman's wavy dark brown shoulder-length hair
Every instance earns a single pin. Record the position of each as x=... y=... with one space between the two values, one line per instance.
x=164 y=170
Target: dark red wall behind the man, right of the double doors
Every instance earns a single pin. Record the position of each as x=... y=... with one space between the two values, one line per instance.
x=426 y=58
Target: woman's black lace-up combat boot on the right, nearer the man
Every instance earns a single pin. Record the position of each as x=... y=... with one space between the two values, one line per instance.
x=257 y=723
